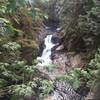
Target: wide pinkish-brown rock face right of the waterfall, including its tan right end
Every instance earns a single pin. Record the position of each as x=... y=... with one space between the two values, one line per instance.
x=64 y=61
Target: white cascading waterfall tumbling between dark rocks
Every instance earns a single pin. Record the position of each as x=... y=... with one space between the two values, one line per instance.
x=46 y=55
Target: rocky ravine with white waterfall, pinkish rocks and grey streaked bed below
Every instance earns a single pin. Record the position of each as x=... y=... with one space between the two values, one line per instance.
x=54 y=62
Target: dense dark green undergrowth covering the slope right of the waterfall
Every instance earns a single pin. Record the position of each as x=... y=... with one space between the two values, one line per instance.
x=80 y=24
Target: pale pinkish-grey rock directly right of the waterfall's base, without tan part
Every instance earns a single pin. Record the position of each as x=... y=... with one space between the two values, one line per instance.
x=62 y=62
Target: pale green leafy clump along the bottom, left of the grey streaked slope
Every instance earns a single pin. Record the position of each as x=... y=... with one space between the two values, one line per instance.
x=44 y=87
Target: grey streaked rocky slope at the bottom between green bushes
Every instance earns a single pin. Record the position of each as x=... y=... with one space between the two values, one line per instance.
x=64 y=91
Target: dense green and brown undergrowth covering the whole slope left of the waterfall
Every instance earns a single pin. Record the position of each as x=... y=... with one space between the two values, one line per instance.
x=20 y=23
